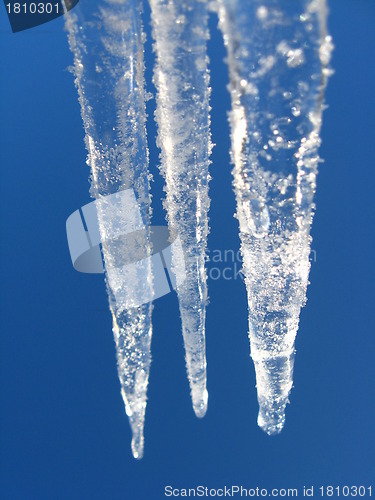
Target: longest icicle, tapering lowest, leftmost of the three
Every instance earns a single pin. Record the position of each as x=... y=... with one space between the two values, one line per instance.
x=106 y=39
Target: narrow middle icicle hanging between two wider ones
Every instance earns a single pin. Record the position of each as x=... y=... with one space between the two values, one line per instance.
x=182 y=81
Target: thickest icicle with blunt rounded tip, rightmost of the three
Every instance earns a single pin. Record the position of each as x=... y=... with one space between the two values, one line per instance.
x=278 y=53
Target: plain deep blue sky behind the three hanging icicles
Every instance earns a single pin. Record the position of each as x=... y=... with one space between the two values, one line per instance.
x=63 y=429
